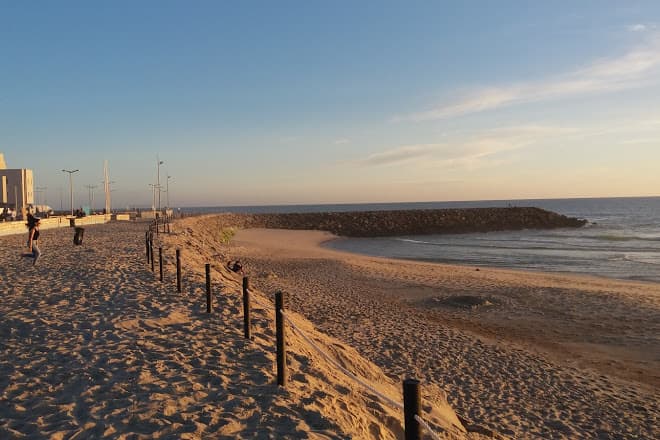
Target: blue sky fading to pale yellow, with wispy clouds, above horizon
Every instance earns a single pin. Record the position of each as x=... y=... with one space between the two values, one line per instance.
x=310 y=102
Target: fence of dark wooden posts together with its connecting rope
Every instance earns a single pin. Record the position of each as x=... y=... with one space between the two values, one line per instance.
x=412 y=404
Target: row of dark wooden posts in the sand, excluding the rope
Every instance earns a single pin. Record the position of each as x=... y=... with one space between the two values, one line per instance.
x=411 y=391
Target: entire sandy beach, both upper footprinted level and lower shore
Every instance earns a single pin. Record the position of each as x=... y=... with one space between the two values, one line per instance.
x=95 y=346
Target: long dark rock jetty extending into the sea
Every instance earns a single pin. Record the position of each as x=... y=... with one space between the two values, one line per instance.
x=407 y=222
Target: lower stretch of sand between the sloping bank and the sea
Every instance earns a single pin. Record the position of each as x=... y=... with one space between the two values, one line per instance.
x=530 y=355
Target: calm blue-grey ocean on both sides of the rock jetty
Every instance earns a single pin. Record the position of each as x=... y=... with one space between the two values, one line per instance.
x=621 y=240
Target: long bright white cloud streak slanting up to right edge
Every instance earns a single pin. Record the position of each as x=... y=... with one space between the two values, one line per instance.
x=634 y=69
